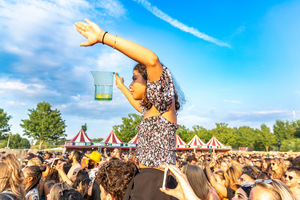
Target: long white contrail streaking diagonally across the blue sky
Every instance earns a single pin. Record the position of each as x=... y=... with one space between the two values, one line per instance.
x=158 y=13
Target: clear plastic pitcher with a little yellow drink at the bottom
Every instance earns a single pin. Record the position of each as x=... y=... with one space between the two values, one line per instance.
x=103 y=82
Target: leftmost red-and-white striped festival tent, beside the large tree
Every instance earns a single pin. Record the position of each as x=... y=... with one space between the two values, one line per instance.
x=80 y=141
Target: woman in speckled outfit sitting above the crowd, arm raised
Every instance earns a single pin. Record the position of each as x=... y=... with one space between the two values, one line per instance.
x=152 y=93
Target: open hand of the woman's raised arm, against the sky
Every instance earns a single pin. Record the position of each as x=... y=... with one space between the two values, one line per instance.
x=91 y=31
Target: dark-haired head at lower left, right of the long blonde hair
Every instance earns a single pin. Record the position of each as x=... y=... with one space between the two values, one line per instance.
x=32 y=176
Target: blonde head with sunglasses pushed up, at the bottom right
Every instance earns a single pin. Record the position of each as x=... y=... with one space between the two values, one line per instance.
x=272 y=189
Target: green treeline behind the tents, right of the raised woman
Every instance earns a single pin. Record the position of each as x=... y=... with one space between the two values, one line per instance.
x=285 y=135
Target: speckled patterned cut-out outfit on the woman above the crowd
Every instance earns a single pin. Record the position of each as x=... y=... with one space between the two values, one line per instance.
x=156 y=135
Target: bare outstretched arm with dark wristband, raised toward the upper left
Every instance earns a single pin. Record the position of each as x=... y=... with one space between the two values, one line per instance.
x=95 y=34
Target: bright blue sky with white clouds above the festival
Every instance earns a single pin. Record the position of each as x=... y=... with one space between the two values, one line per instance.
x=236 y=61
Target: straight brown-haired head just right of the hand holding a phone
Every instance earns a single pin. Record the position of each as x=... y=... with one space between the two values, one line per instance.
x=197 y=180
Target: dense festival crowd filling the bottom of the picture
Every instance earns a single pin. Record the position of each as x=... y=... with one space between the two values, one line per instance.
x=111 y=175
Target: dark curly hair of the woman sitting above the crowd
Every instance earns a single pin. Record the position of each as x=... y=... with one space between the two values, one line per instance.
x=146 y=103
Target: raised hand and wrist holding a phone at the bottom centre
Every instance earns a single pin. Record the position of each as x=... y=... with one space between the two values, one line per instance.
x=183 y=191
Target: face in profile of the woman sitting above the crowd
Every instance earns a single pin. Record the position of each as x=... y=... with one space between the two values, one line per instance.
x=138 y=86
